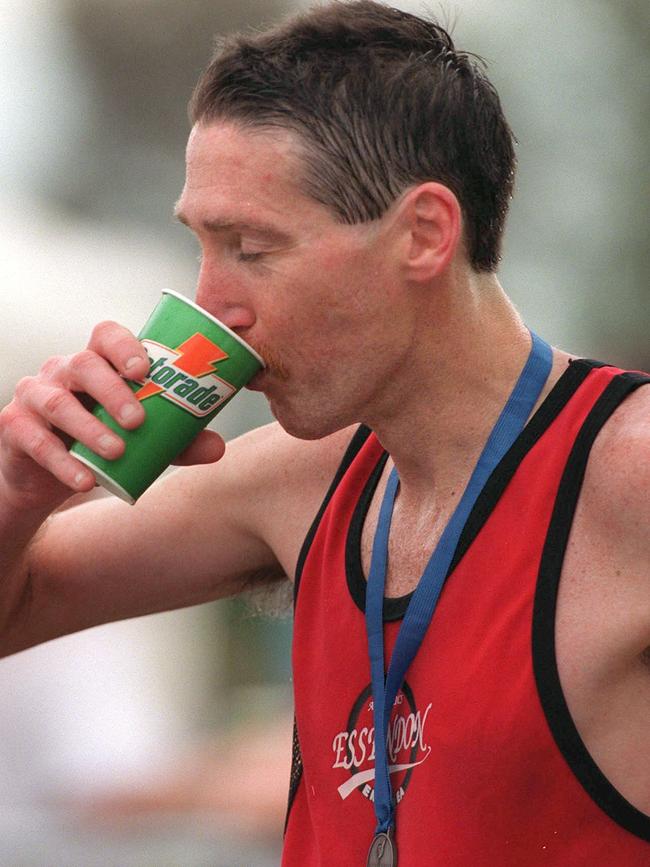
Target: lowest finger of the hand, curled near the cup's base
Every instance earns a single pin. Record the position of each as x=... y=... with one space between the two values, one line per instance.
x=28 y=436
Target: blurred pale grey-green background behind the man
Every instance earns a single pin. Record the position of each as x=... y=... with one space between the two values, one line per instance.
x=166 y=740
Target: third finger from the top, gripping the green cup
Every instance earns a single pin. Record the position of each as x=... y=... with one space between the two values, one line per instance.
x=59 y=408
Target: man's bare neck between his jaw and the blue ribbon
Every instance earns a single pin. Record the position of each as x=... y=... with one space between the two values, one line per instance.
x=461 y=369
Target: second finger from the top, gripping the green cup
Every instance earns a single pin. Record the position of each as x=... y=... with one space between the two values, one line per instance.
x=90 y=374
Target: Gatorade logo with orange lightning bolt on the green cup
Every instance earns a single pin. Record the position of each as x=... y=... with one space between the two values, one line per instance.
x=186 y=375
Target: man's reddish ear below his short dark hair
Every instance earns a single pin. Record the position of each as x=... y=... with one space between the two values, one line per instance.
x=431 y=219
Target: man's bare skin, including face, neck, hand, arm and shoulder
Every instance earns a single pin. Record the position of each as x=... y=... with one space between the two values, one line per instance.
x=383 y=323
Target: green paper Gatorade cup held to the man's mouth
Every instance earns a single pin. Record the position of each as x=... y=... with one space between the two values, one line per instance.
x=197 y=365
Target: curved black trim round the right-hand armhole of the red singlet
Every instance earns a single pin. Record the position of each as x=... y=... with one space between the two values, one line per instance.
x=549 y=688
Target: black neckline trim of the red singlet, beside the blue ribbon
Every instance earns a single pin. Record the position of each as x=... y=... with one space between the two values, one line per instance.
x=555 y=401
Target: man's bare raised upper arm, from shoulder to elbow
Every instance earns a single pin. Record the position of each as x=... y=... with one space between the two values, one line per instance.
x=198 y=534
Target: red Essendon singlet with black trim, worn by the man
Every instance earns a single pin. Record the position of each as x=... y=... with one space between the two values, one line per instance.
x=488 y=767
